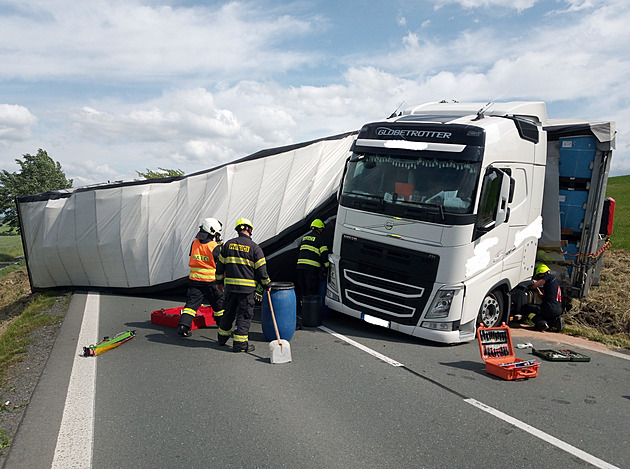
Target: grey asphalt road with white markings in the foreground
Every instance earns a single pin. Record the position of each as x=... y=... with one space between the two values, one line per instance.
x=363 y=397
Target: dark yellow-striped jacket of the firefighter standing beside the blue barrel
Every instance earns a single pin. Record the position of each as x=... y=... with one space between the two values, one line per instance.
x=241 y=264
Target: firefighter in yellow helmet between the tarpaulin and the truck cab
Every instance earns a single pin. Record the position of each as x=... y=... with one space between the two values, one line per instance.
x=312 y=263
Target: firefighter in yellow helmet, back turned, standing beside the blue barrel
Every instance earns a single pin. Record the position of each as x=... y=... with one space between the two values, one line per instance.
x=240 y=267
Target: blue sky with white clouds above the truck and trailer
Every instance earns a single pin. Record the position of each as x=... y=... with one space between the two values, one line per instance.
x=108 y=88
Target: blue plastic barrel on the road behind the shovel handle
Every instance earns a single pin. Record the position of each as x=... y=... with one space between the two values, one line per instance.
x=283 y=300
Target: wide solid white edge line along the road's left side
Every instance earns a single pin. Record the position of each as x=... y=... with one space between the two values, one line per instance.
x=76 y=435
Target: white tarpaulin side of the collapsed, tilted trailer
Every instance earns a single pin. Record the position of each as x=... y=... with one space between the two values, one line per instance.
x=138 y=234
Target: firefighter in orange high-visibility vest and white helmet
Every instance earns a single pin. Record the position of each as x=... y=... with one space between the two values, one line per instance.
x=202 y=284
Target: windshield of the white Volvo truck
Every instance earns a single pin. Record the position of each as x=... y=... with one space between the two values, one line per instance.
x=432 y=183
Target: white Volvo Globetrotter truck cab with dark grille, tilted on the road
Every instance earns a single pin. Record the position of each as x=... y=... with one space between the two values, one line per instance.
x=439 y=217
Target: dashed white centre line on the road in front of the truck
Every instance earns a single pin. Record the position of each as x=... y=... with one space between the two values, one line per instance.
x=497 y=413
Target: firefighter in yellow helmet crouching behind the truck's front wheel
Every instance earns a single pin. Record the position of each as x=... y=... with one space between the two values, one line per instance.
x=548 y=314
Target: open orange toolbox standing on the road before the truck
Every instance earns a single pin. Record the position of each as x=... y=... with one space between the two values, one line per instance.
x=495 y=345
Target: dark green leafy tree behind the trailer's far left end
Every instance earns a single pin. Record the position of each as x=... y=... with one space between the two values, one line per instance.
x=38 y=173
